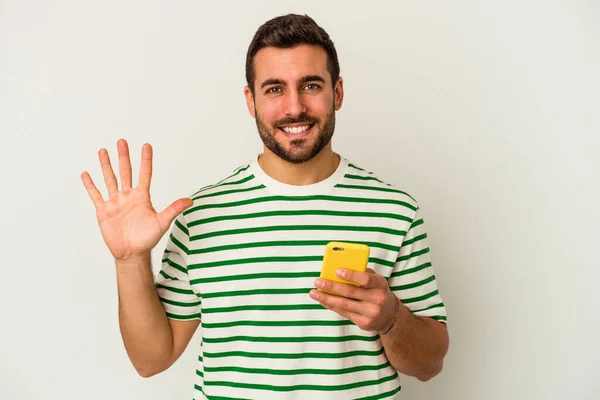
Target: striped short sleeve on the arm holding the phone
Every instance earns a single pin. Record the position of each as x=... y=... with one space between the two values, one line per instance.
x=413 y=279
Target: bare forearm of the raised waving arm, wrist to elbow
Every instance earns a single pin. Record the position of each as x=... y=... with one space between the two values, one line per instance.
x=144 y=325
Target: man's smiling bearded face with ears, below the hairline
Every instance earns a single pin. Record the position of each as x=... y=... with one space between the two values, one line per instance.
x=294 y=102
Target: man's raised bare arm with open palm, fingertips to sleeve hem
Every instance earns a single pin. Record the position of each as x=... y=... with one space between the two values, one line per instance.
x=131 y=228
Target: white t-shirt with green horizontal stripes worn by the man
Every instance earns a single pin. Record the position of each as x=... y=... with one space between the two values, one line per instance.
x=243 y=259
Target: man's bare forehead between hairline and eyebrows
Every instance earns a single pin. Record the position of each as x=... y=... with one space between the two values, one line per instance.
x=290 y=64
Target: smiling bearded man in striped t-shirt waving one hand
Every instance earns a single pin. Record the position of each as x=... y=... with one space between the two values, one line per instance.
x=244 y=257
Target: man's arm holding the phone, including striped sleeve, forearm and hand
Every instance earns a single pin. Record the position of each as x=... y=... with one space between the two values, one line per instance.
x=416 y=344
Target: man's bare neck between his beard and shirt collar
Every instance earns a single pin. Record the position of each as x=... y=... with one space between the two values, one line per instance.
x=322 y=166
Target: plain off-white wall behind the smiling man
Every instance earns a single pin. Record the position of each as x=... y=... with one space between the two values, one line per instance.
x=486 y=112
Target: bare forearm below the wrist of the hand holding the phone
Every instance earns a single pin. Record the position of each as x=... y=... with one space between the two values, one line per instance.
x=416 y=346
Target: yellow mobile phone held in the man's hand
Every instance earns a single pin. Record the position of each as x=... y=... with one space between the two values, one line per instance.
x=352 y=256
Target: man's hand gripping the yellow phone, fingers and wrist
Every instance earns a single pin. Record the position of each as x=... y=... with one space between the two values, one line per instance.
x=371 y=306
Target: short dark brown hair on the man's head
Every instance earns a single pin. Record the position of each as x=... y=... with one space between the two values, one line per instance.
x=288 y=31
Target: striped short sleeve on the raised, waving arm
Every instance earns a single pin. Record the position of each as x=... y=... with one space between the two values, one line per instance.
x=172 y=281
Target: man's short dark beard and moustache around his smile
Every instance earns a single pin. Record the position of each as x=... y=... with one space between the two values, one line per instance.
x=299 y=152
